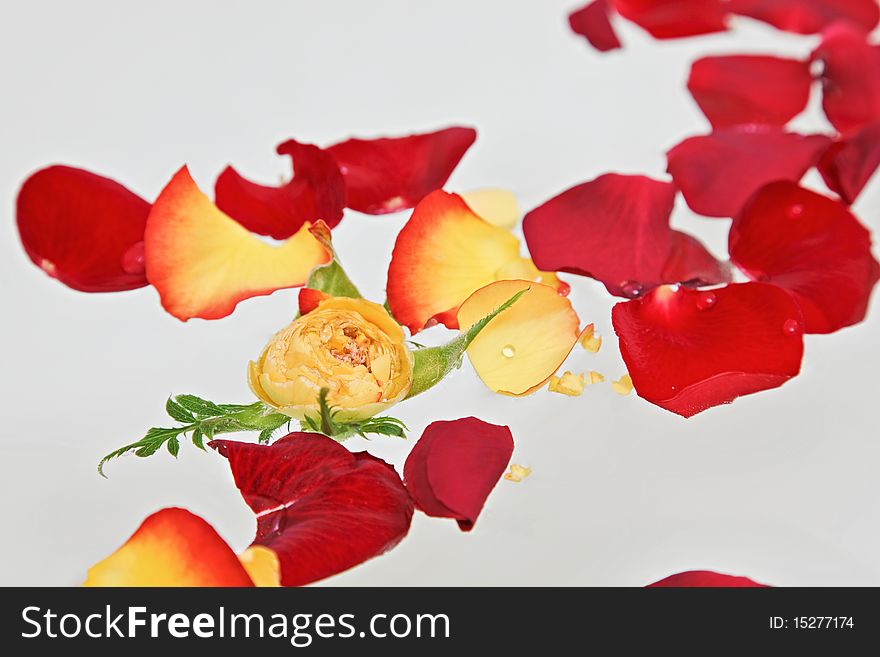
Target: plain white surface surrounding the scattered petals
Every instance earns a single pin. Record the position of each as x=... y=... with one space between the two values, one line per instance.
x=781 y=486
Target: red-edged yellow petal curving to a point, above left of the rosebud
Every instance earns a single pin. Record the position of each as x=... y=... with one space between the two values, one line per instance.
x=203 y=262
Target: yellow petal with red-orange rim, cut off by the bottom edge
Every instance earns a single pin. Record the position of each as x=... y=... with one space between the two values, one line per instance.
x=172 y=547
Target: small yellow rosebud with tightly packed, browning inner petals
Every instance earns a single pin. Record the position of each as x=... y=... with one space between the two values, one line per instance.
x=353 y=347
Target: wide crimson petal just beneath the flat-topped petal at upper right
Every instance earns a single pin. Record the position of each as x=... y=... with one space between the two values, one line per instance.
x=717 y=173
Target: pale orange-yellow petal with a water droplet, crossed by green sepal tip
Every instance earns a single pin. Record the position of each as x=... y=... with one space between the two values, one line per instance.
x=519 y=350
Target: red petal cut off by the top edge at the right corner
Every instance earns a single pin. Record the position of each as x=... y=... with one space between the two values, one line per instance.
x=808 y=16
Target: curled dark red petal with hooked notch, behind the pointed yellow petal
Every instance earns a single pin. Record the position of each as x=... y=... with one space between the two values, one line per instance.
x=316 y=191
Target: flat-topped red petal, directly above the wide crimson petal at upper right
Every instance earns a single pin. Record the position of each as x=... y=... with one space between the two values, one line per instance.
x=737 y=89
